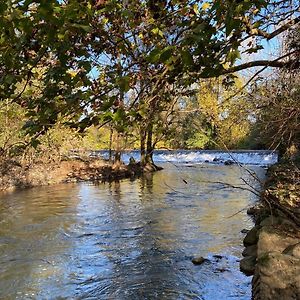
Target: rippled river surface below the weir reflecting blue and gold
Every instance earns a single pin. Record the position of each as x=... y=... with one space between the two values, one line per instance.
x=127 y=240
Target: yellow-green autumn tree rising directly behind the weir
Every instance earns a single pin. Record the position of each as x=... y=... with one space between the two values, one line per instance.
x=217 y=116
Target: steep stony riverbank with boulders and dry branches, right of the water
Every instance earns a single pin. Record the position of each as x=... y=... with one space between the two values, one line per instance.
x=272 y=252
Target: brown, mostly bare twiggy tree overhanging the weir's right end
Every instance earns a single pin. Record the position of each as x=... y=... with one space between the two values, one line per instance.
x=277 y=113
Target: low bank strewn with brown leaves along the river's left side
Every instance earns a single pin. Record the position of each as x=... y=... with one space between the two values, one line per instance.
x=15 y=176
